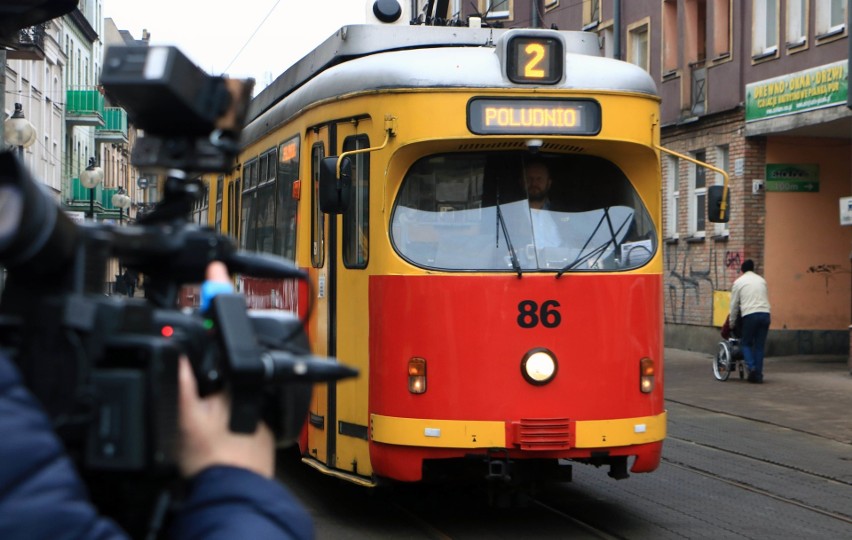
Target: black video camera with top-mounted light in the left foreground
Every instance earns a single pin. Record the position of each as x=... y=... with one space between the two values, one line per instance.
x=105 y=367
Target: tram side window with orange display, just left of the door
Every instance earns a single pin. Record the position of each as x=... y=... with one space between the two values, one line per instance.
x=285 y=217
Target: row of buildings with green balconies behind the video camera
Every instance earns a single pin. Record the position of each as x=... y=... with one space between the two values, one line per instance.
x=52 y=74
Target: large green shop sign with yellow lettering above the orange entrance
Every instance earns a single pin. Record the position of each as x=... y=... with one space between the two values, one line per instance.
x=814 y=88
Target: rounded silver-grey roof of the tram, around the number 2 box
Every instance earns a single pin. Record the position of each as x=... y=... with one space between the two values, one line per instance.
x=401 y=57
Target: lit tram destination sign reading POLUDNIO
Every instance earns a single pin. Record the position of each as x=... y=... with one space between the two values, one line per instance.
x=492 y=116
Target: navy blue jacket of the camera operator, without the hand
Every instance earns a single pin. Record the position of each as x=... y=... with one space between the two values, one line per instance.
x=42 y=497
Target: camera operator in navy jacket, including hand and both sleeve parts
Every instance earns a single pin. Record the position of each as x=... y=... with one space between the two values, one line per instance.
x=232 y=492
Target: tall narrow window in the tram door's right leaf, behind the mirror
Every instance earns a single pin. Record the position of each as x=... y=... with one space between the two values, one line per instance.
x=356 y=219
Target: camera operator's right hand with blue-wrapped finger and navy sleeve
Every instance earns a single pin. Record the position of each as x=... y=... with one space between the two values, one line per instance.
x=232 y=490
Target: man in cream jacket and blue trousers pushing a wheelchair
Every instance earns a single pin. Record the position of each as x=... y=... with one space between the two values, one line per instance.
x=750 y=300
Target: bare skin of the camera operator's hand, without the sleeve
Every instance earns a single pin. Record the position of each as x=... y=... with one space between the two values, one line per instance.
x=205 y=437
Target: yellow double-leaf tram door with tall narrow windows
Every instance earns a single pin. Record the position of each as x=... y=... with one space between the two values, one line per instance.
x=338 y=420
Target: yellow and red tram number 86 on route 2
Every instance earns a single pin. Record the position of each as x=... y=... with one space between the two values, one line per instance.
x=494 y=338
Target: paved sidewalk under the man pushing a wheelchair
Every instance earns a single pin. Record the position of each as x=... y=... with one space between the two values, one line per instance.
x=807 y=393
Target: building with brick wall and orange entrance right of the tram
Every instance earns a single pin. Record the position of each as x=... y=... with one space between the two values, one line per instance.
x=760 y=89
